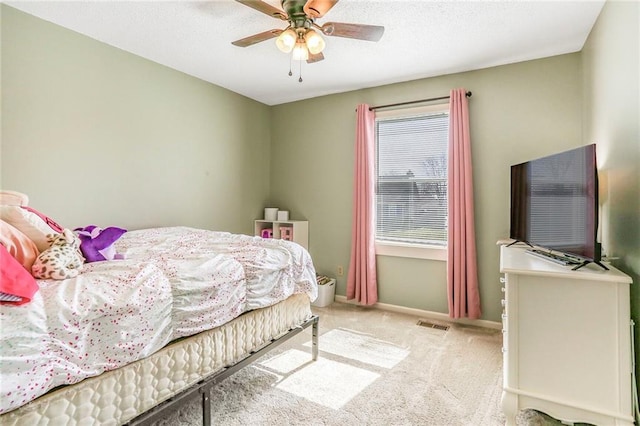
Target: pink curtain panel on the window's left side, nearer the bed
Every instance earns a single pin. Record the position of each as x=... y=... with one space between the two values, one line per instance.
x=362 y=282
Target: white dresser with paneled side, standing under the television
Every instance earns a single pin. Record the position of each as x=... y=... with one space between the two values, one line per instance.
x=567 y=340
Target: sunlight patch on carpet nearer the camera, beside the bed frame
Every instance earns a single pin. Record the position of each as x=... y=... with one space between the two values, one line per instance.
x=325 y=382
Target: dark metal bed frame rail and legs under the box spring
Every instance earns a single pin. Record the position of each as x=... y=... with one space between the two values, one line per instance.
x=204 y=386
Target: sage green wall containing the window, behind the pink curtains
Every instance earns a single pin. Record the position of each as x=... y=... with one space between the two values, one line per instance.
x=517 y=112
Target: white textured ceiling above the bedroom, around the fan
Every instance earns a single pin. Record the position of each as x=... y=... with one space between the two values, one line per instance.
x=422 y=39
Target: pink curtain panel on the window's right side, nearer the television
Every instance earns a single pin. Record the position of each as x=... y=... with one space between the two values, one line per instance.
x=462 y=270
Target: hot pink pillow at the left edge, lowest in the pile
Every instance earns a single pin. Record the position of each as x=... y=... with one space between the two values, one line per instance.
x=17 y=286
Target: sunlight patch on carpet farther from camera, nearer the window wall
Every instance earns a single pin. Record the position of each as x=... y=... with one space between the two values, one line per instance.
x=361 y=347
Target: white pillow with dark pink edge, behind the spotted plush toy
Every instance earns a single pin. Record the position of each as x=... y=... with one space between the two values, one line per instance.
x=32 y=223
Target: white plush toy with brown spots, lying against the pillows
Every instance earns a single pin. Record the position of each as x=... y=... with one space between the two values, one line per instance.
x=61 y=260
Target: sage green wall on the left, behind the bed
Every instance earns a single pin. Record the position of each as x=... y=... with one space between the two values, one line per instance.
x=96 y=135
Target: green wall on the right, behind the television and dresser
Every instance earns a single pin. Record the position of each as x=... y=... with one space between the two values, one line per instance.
x=610 y=59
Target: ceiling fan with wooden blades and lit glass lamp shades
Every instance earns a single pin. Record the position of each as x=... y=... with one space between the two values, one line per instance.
x=300 y=36
